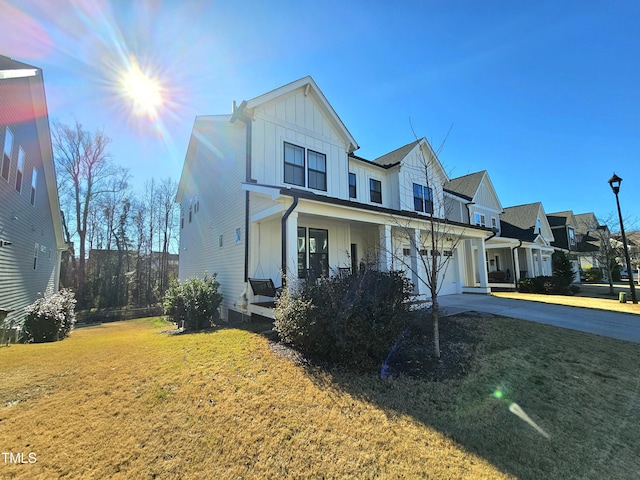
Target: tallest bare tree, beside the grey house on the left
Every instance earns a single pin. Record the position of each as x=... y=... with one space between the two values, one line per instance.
x=84 y=168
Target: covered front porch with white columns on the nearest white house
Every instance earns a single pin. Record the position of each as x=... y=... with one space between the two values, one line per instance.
x=311 y=239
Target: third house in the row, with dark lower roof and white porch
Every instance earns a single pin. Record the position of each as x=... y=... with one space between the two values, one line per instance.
x=528 y=224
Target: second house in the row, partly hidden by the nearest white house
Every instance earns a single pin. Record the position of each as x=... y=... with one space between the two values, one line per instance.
x=482 y=207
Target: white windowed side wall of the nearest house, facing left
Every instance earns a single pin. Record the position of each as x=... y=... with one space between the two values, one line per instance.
x=208 y=243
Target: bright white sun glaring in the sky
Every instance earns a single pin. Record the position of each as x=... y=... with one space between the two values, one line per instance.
x=144 y=90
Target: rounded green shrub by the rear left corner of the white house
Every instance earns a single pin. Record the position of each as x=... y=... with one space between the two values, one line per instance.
x=193 y=305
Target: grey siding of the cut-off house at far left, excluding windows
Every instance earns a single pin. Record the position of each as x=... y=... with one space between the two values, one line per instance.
x=28 y=228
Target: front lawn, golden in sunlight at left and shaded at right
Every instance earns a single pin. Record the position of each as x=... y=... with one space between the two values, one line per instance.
x=122 y=400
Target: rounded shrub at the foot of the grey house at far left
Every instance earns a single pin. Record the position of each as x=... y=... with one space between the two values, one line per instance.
x=50 y=318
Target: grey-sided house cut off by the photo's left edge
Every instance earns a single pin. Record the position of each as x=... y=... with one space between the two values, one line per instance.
x=31 y=239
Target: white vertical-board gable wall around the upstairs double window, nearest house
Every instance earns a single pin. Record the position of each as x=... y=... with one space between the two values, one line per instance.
x=297 y=118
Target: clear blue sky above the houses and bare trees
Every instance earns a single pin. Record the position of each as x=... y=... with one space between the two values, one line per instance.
x=544 y=95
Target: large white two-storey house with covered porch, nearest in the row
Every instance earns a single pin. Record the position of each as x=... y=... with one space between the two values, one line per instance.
x=276 y=187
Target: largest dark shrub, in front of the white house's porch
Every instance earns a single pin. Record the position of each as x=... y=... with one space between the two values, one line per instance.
x=348 y=319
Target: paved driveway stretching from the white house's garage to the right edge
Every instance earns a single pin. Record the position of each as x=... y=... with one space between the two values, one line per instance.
x=622 y=326
